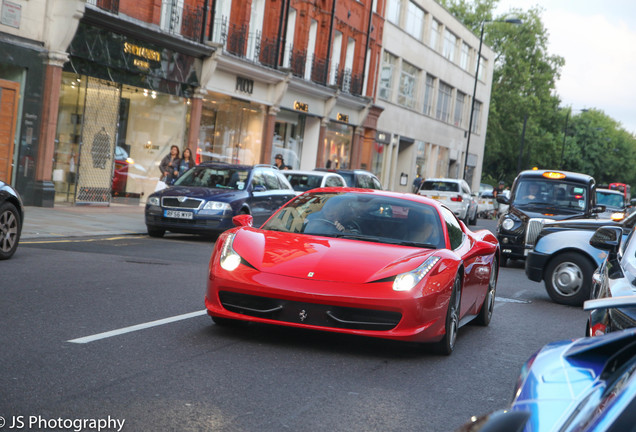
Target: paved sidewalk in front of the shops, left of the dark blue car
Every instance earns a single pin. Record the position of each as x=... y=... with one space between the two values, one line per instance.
x=75 y=221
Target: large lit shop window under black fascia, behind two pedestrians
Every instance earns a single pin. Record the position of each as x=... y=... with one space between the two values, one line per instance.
x=111 y=139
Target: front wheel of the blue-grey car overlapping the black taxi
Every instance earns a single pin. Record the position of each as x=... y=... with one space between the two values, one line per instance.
x=568 y=279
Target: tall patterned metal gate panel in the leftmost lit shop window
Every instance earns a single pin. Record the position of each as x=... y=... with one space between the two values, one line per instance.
x=99 y=129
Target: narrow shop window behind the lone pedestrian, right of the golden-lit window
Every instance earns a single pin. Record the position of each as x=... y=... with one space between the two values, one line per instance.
x=288 y=137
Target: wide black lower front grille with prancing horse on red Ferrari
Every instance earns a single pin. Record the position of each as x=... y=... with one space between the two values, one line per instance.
x=309 y=313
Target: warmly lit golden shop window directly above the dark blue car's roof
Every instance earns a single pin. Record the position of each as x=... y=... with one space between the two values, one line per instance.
x=231 y=131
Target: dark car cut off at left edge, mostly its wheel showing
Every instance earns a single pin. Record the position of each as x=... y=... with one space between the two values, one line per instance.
x=11 y=220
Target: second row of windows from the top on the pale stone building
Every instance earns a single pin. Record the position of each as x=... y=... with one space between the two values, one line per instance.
x=439 y=100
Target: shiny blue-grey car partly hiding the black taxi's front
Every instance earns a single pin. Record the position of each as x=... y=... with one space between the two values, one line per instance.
x=565 y=260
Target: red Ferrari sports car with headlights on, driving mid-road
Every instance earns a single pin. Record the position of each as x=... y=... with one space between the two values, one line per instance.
x=358 y=261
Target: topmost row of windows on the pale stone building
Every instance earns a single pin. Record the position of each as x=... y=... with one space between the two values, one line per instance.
x=413 y=20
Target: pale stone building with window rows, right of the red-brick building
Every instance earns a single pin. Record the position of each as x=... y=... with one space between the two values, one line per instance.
x=426 y=83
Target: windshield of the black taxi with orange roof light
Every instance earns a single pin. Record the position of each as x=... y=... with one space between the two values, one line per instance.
x=555 y=194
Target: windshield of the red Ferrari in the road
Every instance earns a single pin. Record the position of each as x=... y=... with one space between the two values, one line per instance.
x=361 y=217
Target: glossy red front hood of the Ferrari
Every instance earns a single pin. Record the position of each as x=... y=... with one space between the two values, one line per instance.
x=323 y=258
